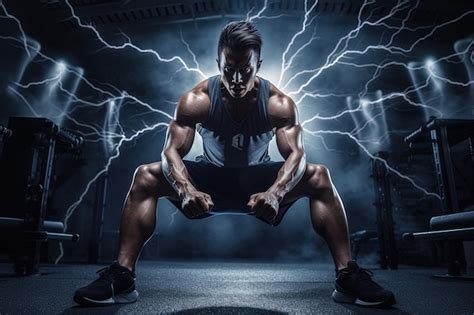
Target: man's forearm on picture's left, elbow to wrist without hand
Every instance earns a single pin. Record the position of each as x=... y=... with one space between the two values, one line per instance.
x=175 y=172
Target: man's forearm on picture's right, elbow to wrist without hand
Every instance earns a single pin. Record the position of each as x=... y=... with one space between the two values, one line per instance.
x=290 y=174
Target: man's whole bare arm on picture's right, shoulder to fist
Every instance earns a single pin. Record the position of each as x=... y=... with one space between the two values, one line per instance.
x=289 y=137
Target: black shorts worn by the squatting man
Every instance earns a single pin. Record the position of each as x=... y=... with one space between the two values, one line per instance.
x=231 y=187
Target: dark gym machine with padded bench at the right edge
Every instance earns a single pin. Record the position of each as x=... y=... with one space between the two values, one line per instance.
x=454 y=226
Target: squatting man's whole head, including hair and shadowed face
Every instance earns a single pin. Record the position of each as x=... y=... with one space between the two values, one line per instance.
x=238 y=57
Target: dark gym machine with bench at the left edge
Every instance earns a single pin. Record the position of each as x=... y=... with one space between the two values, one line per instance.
x=26 y=168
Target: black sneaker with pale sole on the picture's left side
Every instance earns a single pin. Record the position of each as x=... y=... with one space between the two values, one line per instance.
x=116 y=284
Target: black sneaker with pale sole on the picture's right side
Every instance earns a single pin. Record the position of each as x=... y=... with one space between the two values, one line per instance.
x=355 y=285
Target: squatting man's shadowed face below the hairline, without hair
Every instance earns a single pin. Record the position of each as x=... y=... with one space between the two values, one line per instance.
x=239 y=70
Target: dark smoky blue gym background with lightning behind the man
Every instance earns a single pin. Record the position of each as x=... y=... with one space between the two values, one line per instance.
x=109 y=94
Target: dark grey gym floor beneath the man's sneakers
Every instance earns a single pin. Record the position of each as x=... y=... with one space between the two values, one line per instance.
x=233 y=288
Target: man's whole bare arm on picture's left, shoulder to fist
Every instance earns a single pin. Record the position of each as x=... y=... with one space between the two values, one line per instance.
x=192 y=108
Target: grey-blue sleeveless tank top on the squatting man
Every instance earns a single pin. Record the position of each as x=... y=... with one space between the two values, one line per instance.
x=235 y=144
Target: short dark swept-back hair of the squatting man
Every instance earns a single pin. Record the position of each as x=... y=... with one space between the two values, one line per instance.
x=240 y=35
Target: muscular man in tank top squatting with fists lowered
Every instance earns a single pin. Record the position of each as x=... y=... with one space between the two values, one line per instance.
x=237 y=113
